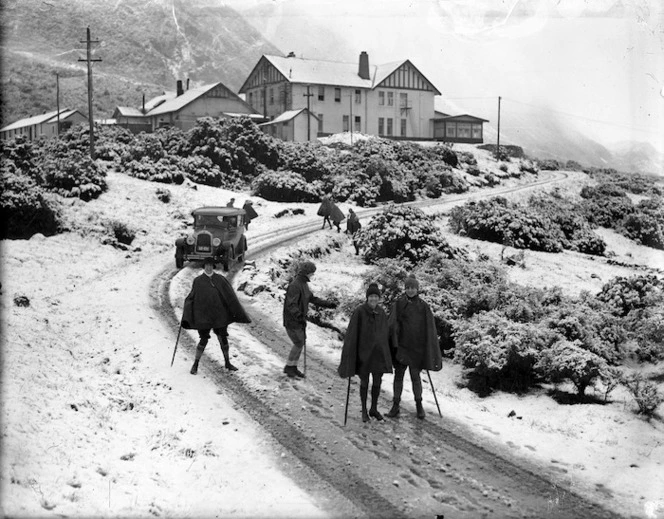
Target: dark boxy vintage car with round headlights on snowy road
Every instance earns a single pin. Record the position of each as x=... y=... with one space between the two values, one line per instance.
x=218 y=232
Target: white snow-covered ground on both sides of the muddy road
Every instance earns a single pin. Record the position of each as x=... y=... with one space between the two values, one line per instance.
x=95 y=422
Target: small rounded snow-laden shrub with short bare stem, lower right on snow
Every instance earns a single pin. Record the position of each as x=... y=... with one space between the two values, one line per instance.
x=568 y=360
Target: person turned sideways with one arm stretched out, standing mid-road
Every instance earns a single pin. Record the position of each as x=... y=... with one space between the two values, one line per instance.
x=296 y=307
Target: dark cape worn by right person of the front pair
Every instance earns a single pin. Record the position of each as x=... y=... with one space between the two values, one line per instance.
x=413 y=336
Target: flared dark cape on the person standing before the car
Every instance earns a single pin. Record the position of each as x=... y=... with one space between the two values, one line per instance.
x=212 y=303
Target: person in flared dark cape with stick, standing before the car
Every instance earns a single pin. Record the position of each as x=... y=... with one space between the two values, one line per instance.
x=212 y=305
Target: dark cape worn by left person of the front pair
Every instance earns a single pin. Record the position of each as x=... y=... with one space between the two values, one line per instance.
x=366 y=345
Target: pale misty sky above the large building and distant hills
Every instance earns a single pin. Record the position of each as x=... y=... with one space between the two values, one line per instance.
x=597 y=65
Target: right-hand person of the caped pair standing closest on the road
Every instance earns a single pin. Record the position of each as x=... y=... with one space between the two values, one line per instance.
x=414 y=343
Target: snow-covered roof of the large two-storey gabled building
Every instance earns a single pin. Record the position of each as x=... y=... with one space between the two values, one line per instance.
x=320 y=72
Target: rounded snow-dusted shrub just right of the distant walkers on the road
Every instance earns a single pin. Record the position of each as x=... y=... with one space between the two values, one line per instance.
x=402 y=232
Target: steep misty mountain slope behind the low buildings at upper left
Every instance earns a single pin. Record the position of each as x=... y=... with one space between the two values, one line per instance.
x=144 y=48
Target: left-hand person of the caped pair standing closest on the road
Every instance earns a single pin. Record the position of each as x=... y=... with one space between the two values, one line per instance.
x=366 y=350
